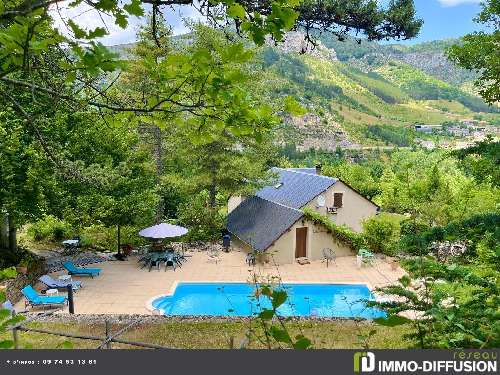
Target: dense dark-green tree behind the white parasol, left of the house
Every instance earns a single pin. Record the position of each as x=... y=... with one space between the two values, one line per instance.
x=124 y=190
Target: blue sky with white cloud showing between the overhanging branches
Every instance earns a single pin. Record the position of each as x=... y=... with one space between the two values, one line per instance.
x=442 y=19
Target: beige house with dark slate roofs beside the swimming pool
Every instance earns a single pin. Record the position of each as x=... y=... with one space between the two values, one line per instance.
x=272 y=220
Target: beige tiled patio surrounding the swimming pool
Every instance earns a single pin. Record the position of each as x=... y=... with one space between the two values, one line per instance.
x=125 y=288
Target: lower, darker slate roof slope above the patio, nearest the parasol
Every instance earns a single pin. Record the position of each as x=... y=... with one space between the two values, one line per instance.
x=259 y=222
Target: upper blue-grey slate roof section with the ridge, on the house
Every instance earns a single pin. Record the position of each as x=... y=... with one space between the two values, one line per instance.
x=296 y=188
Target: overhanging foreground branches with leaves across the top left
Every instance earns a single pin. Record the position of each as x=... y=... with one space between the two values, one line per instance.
x=28 y=36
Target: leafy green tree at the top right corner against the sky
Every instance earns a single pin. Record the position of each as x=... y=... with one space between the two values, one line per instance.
x=479 y=51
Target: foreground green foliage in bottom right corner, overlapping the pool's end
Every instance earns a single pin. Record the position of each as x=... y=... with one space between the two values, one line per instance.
x=459 y=311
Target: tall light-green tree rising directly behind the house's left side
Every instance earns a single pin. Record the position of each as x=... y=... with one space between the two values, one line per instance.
x=222 y=150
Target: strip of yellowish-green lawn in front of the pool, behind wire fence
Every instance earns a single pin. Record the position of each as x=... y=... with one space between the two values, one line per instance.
x=213 y=334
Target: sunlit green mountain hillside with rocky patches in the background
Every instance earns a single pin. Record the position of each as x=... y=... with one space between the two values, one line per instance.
x=367 y=94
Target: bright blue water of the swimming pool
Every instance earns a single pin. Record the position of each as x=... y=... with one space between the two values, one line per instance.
x=237 y=299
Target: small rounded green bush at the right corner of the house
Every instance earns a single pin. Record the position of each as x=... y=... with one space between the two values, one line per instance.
x=382 y=232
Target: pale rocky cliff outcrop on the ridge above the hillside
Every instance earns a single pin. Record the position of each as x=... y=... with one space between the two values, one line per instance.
x=294 y=42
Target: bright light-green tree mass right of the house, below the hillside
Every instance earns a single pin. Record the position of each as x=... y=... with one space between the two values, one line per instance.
x=430 y=186
